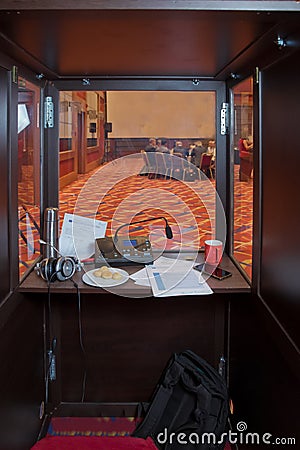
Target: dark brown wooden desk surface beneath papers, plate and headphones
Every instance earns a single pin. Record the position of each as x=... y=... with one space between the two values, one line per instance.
x=33 y=283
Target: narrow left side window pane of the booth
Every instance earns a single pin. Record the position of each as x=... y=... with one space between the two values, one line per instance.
x=28 y=174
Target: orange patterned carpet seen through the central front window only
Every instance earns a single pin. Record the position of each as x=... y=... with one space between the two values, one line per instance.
x=135 y=197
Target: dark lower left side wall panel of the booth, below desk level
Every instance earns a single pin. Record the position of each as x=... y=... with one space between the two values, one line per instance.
x=21 y=374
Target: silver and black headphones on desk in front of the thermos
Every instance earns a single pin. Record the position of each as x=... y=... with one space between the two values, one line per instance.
x=61 y=269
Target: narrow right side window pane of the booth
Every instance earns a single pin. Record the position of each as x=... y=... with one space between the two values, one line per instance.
x=243 y=174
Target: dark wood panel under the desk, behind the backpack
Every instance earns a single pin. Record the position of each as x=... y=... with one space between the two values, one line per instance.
x=129 y=341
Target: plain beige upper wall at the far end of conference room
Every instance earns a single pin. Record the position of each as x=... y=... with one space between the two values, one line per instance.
x=161 y=114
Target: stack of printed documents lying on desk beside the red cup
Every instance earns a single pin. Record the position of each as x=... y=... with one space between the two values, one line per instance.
x=172 y=277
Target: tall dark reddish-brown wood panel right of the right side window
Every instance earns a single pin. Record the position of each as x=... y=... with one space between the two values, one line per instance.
x=280 y=281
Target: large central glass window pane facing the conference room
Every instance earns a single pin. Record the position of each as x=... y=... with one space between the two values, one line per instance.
x=122 y=124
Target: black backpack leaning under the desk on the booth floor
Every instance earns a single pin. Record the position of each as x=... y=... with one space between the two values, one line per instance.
x=189 y=408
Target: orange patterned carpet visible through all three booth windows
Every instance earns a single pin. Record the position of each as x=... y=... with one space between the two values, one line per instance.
x=117 y=199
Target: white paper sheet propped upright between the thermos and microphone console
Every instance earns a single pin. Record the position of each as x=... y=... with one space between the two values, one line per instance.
x=78 y=236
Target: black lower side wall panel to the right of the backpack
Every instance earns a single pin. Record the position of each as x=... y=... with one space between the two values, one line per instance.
x=264 y=381
